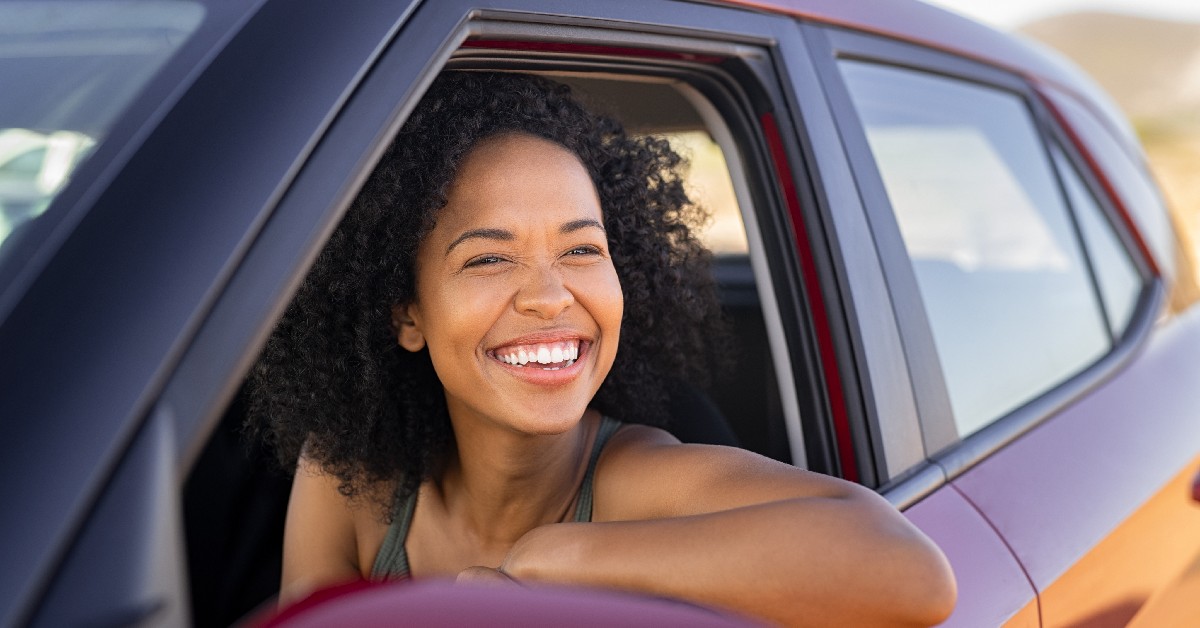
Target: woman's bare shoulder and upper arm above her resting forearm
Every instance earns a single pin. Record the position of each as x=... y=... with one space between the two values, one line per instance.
x=647 y=474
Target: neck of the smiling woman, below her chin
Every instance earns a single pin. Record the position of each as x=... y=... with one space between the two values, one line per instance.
x=501 y=485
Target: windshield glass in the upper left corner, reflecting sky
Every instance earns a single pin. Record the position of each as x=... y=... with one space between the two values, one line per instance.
x=68 y=70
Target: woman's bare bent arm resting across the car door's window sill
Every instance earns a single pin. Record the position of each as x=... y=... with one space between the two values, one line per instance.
x=727 y=528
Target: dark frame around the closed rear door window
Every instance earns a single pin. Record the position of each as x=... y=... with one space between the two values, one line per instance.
x=946 y=450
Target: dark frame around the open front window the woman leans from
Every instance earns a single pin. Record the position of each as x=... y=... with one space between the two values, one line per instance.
x=197 y=392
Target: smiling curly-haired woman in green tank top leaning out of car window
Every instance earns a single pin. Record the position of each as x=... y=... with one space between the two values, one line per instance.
x=449 y=380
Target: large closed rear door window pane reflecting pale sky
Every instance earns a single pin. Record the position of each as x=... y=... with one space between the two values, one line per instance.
x=998 y=261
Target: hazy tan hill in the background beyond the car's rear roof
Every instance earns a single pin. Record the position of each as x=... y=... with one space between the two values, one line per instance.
x=1150 y=67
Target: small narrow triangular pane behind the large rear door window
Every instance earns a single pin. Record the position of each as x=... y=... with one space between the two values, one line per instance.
x=1115 y=273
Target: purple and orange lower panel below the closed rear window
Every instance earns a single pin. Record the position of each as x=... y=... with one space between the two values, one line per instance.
x=1075 y=493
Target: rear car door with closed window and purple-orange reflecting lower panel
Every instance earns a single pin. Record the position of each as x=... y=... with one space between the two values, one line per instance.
x=1028 y=301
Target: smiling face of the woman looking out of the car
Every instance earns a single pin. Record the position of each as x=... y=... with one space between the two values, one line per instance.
x=518 y=300
